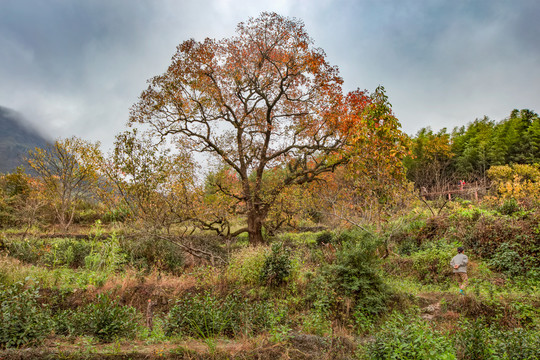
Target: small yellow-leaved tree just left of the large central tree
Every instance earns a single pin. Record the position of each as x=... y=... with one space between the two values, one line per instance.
x=154 y=183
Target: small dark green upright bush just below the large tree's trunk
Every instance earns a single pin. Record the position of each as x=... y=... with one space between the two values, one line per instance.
x=277 y=266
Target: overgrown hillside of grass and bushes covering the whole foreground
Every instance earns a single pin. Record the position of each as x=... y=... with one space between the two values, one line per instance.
x=388 y=293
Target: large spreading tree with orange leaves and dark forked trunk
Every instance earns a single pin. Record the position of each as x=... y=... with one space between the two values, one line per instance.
x=260 y=101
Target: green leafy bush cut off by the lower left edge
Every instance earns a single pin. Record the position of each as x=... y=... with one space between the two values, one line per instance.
x=23 y=320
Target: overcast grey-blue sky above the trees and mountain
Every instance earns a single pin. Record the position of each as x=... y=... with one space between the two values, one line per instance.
x=74 y=67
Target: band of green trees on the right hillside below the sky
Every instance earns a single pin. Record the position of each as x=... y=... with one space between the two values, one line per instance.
x=468 y=152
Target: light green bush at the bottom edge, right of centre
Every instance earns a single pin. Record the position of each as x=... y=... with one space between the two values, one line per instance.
x=409 y=338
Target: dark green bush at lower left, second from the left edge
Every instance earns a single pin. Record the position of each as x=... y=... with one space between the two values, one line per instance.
x=104 y=319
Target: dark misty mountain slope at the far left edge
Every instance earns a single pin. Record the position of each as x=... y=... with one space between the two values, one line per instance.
x=17 y=136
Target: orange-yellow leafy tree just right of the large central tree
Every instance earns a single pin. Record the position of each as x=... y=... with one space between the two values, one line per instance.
x=371 y=186
